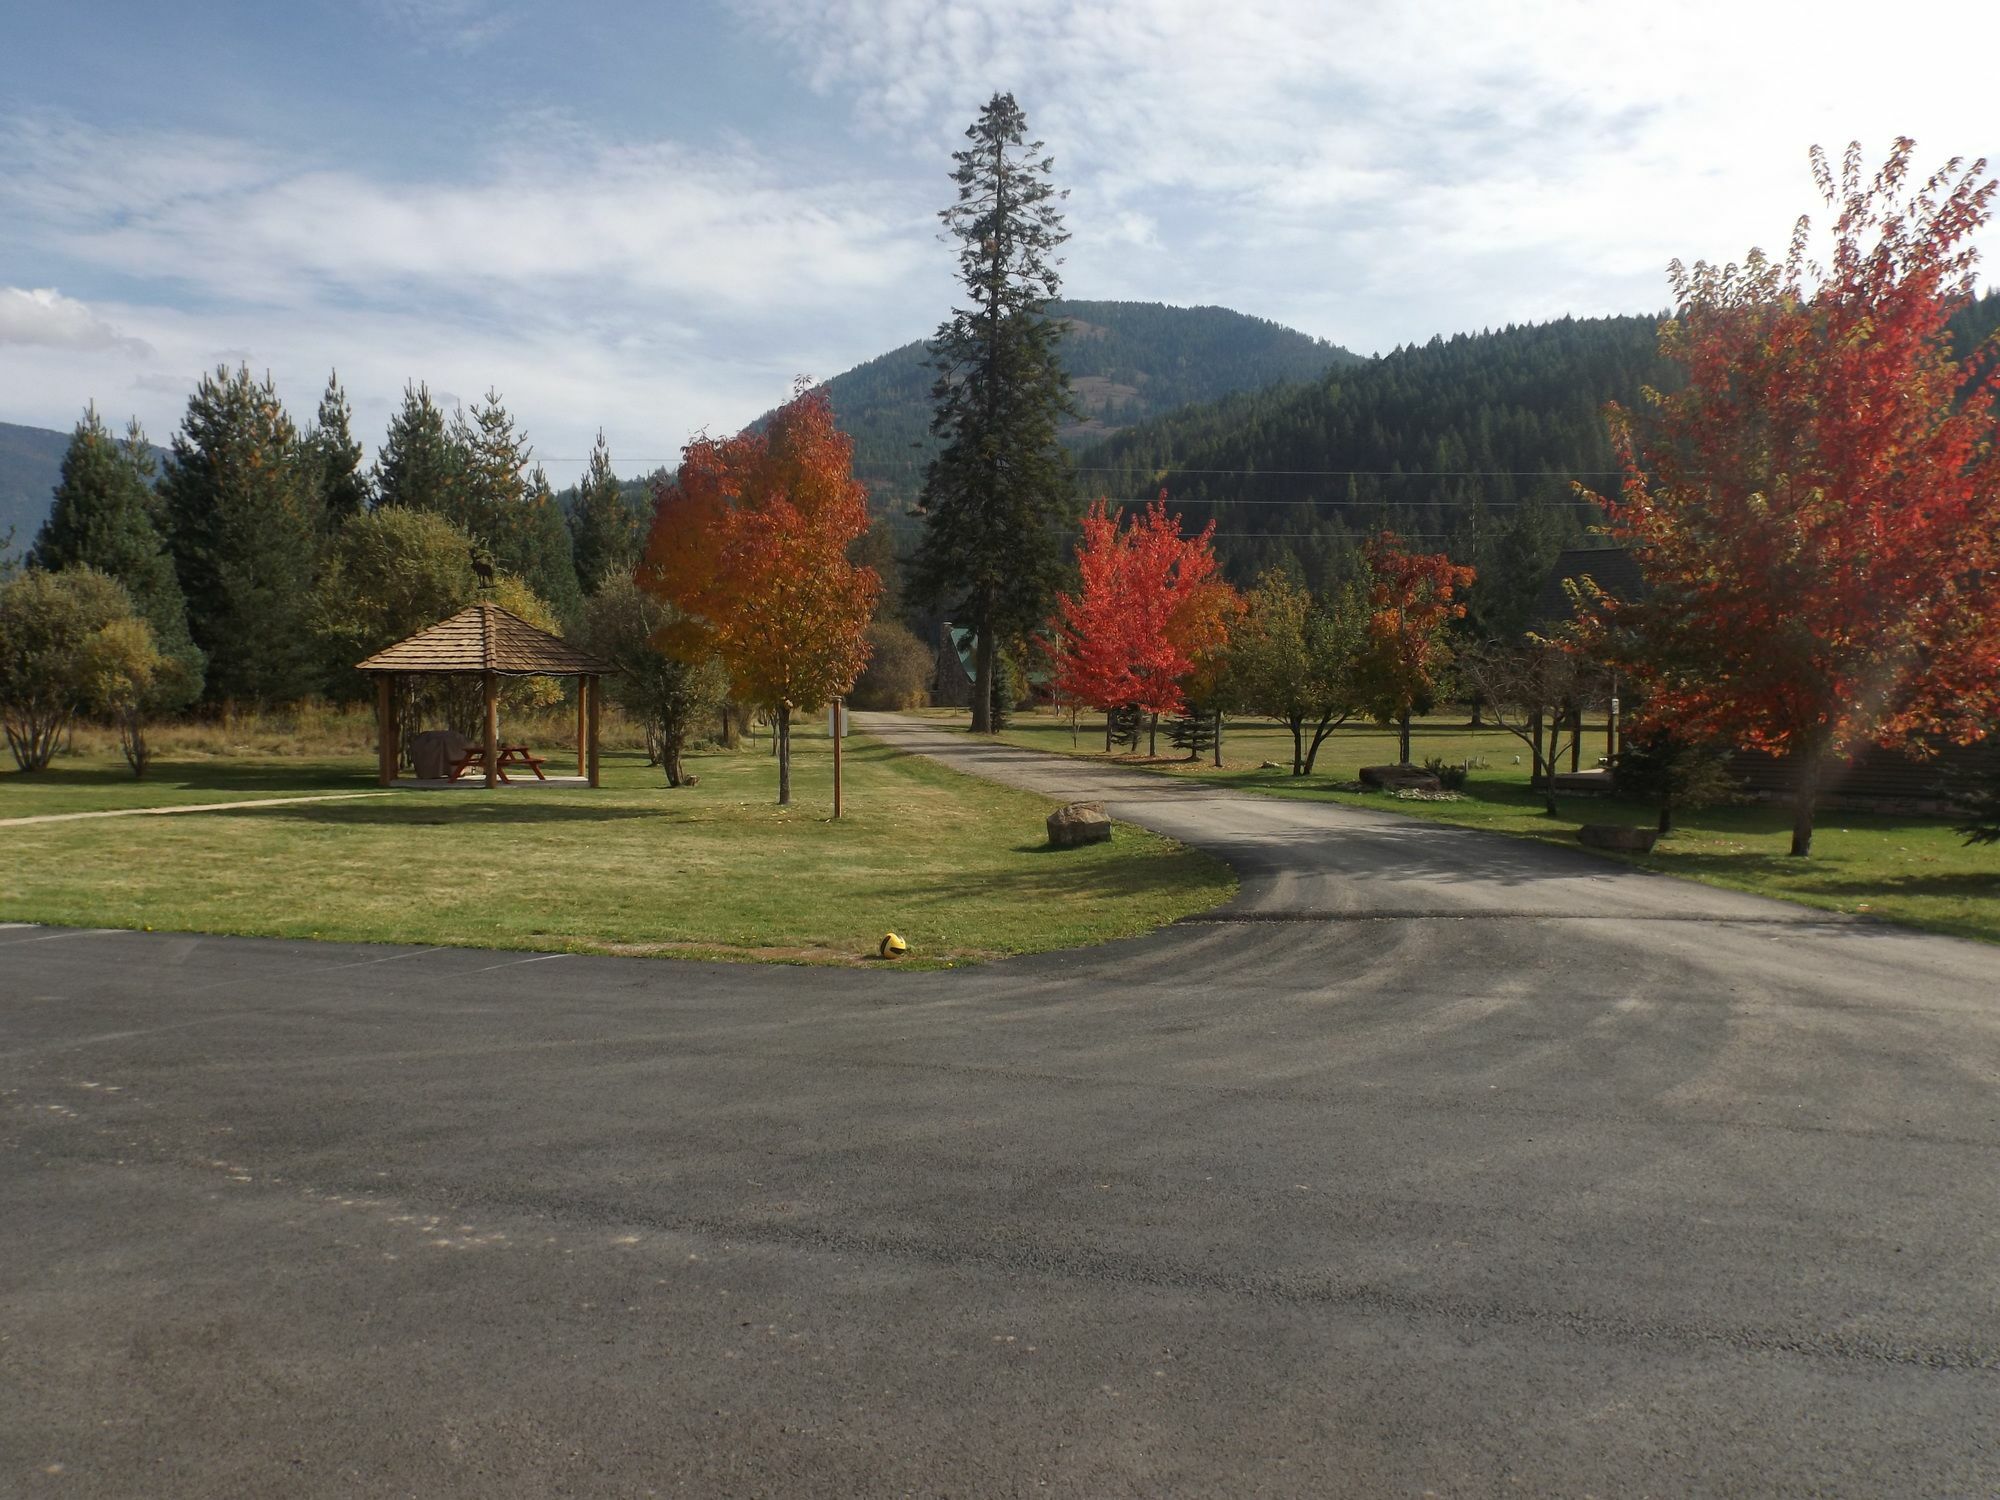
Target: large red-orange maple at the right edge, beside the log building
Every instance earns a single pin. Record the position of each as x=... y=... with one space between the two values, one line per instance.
x=1817 y=511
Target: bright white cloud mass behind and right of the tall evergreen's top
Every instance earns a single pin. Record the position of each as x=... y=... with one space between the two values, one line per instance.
x=1385 y=173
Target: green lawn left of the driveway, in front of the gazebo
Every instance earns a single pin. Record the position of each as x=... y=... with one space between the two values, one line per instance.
x=951 y=863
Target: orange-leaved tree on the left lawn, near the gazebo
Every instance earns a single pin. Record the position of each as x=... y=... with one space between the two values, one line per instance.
x=751 y=547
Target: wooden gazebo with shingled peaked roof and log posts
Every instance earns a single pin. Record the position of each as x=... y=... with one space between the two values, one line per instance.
x=487 y=643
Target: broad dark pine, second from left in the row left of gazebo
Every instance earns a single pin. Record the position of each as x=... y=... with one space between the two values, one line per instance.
x=245 y=531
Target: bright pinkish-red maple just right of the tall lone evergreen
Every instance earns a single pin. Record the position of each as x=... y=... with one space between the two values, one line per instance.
x=1149 y=615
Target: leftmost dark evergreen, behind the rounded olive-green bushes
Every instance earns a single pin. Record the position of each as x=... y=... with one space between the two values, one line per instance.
x=107 y=517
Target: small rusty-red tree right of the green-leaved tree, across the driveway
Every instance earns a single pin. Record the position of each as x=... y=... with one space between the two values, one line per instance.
x=1405 y=651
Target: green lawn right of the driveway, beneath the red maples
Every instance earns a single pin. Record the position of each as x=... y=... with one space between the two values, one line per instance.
x=1901 y=869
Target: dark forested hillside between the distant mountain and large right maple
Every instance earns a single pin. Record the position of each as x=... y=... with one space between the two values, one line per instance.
x=1469 y=445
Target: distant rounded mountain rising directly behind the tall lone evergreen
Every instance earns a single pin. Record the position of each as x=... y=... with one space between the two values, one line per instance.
x=1127 y=361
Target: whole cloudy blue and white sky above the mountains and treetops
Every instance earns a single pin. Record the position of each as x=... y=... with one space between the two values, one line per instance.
x=653 y=217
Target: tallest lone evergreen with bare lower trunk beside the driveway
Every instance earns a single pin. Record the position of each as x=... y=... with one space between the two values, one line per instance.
x=997 y=501
